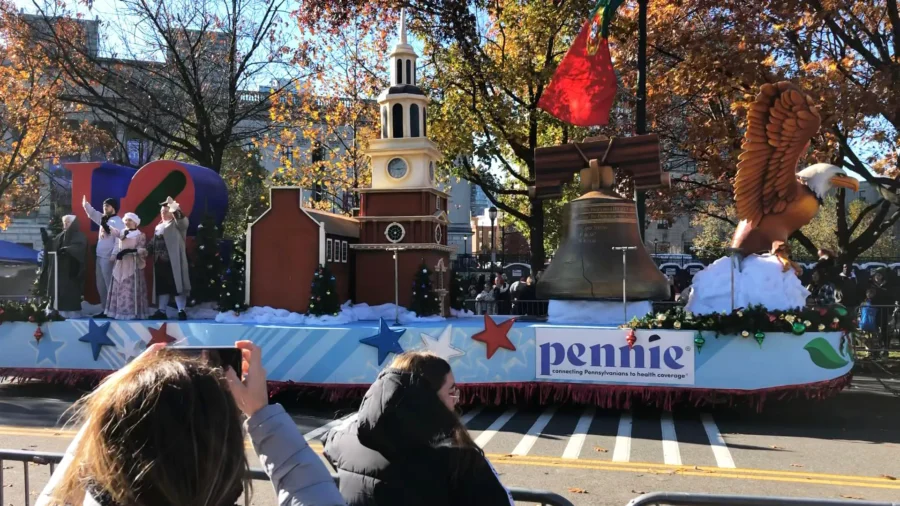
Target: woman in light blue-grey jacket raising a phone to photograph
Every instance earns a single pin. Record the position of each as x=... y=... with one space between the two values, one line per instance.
x=164 y=429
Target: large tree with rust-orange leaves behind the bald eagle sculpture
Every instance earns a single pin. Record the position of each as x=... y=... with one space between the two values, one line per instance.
x=708 y=60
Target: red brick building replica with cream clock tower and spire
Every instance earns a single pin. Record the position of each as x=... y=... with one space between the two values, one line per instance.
x=403 y=213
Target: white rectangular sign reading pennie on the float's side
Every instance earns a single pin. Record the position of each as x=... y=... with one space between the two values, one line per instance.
x=662 y=358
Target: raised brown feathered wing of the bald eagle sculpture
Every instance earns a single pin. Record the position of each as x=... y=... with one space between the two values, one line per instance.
x=780 y=124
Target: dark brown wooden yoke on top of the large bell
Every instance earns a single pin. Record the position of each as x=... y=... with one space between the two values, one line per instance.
x=638 y=156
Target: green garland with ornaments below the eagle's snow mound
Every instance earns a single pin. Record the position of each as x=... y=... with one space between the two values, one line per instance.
x=747 y=322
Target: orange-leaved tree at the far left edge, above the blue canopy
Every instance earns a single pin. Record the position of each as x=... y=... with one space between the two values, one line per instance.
x=36 y=128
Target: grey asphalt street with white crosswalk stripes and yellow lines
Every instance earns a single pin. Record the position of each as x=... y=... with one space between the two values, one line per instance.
x=846 y=447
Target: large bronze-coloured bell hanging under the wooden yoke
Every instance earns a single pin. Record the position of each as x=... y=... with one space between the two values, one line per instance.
x=586 y=267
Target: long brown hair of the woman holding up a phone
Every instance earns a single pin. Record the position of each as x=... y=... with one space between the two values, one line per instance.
x=162 y=430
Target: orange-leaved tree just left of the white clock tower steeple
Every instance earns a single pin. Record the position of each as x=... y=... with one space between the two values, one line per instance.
x=325 y=123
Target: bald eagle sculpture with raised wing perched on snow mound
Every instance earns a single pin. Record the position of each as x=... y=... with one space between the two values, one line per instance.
x=772 y=199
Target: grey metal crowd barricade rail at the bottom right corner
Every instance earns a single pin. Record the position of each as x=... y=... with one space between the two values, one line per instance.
x=684 y=499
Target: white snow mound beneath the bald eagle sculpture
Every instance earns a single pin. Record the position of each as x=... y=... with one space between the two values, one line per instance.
x=761 y=281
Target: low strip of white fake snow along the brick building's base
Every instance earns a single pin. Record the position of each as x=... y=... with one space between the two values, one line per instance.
x=348 y=313
